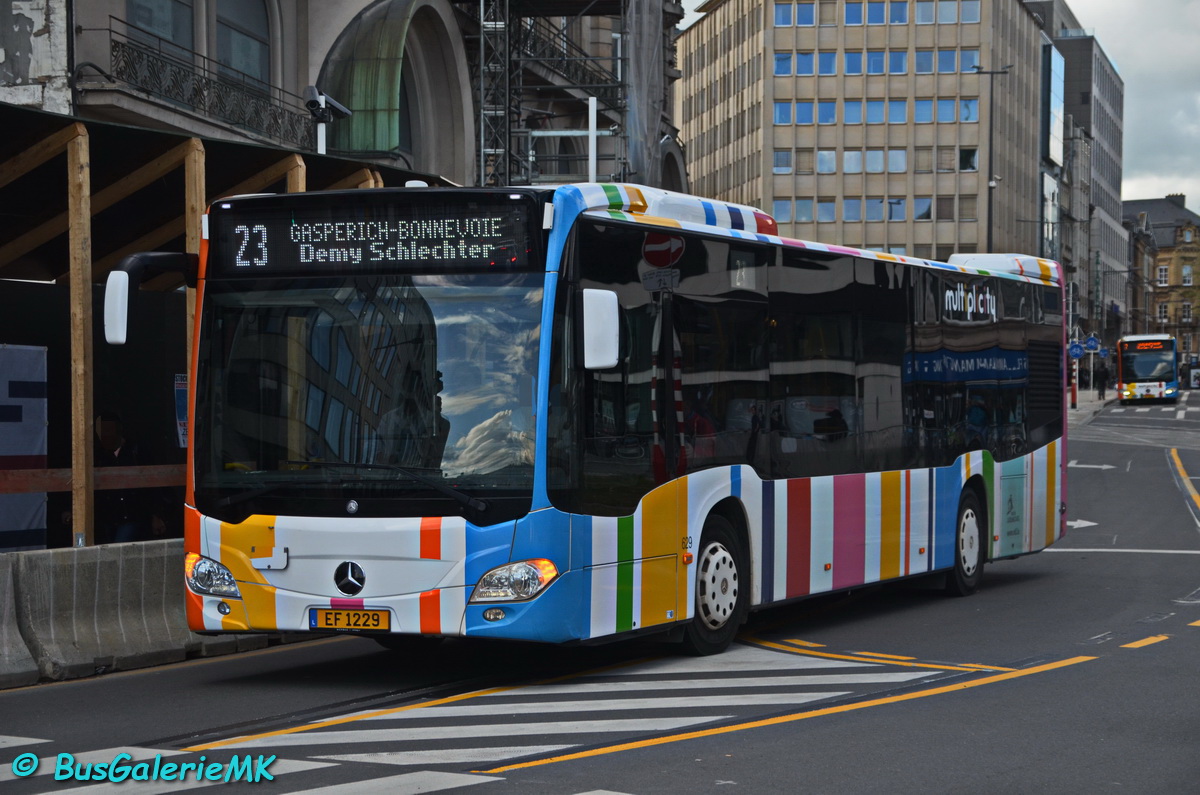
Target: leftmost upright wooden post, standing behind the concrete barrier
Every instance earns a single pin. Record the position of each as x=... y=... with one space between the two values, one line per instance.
x=82 y=419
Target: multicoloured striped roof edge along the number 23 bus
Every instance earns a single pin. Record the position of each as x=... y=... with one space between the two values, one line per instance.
x=668 y=210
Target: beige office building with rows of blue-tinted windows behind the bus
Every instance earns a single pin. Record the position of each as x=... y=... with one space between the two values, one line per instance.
x=910 y=127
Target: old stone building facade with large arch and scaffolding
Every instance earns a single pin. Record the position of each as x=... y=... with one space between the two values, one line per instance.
x=471 y=92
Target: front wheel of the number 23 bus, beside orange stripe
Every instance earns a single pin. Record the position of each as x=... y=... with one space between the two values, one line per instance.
x=722 y=590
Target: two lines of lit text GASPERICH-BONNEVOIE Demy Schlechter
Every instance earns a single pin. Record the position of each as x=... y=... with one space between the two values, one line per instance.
x=357 y=242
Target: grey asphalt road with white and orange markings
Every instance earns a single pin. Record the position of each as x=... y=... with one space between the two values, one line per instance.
x=1072 y=671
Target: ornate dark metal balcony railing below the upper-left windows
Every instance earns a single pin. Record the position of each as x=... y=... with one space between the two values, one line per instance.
x=184 y=79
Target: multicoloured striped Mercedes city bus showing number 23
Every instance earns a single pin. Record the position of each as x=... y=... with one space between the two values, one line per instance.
x=580 y=414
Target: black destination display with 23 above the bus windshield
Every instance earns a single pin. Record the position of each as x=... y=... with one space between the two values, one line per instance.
x=429 y=237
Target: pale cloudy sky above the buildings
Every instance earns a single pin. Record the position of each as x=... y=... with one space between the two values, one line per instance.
x=1154 y=45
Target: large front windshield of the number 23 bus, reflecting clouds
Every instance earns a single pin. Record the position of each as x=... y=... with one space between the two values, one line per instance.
x=383 y=388
